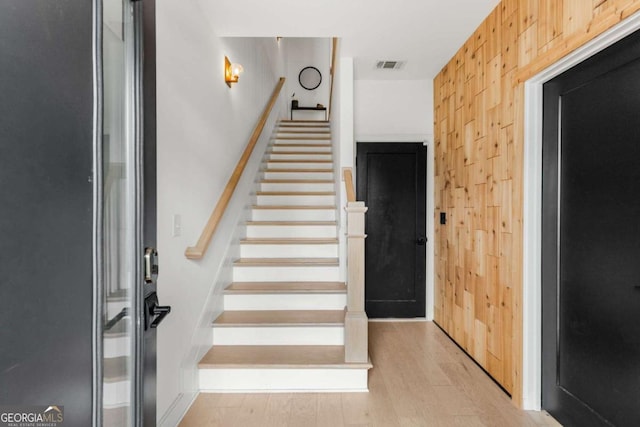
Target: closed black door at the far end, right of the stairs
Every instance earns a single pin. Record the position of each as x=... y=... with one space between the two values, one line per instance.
x=391 y=180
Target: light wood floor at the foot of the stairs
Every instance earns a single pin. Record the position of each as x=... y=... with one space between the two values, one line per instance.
x=419 y=378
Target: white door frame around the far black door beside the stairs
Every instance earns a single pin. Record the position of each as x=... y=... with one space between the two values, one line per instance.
x=426 y=141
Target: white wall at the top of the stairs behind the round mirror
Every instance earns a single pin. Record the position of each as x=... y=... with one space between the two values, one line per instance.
x=301 y=53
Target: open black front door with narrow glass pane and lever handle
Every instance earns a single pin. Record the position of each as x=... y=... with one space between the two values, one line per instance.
x=77 y=209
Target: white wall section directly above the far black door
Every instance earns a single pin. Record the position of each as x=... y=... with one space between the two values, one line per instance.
x=401 y=108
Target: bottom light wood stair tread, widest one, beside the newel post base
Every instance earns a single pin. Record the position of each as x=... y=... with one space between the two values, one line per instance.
x=277 y=356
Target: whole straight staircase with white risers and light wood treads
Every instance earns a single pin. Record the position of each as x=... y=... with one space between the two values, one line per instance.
x=283 y=325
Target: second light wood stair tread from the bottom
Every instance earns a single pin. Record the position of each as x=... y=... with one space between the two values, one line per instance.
x=281 y=318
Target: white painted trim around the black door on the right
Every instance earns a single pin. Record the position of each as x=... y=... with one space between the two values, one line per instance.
x=532 y=213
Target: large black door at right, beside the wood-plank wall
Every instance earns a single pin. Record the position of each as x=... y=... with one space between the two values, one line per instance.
x=591 y=241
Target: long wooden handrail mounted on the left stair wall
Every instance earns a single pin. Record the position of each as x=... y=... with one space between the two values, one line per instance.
x=198 y=251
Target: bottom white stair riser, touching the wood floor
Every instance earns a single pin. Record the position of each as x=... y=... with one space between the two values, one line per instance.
x=289 y=380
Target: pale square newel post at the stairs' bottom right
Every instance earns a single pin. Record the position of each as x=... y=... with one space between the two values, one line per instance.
x=356 y=326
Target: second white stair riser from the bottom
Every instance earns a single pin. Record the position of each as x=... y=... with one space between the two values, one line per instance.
x=278 y=335
